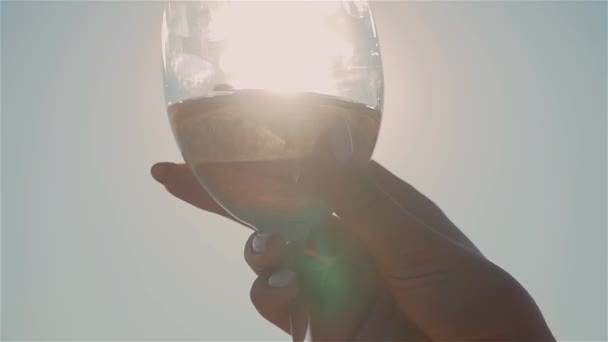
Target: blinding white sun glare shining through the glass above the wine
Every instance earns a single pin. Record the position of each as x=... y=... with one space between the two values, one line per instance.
x=280 y=46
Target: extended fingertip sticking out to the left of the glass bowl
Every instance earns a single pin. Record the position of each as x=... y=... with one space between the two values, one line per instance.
x=180 y=182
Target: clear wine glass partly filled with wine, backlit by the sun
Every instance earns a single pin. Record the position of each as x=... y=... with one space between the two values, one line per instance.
x=252 y=87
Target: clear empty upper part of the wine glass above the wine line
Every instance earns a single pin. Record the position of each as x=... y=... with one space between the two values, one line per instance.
x=324 y=47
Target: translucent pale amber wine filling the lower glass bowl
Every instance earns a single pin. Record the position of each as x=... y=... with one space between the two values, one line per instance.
x=247 y=149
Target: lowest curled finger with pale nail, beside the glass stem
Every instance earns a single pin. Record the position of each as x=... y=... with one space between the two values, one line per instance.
x=274 y=296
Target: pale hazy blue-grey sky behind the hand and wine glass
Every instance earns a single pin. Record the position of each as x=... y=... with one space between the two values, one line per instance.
x=494 y=110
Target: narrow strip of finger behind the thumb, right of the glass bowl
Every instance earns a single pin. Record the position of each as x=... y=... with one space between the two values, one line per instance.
x=417 y=204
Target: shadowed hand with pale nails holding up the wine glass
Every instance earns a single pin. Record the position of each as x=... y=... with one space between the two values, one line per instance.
x=426 y=279
